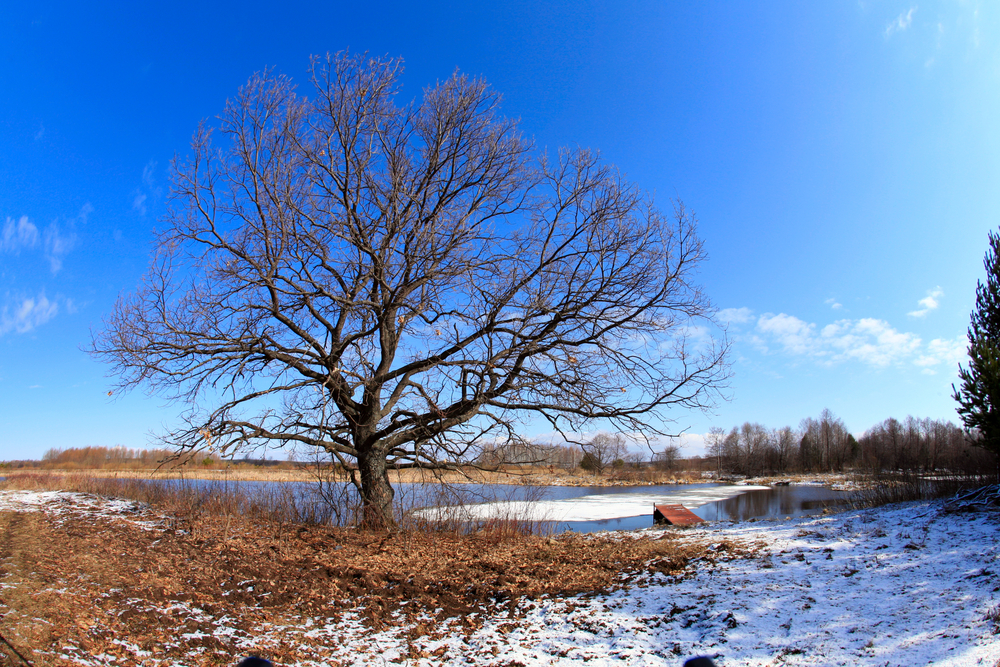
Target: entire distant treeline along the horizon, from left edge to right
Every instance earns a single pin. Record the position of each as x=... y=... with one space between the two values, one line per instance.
x=822 y=444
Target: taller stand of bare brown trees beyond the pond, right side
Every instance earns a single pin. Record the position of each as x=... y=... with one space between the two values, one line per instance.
x=825 y=445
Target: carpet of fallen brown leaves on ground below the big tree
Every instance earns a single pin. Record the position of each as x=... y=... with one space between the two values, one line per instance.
x=77 y=586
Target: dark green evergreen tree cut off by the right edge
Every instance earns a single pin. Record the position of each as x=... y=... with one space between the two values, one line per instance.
x=979 y=394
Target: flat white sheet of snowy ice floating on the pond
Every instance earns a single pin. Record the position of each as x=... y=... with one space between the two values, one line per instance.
x=585 y=508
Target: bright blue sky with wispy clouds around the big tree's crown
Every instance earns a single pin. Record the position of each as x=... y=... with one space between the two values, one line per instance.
x=843 y=159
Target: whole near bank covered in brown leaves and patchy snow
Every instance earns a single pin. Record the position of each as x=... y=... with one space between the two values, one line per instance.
x=90 y=581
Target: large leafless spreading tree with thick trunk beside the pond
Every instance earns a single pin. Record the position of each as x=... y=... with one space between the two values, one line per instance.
x=399 y=284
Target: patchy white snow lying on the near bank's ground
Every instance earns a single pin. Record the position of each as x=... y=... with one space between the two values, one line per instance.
x=906 y=585
